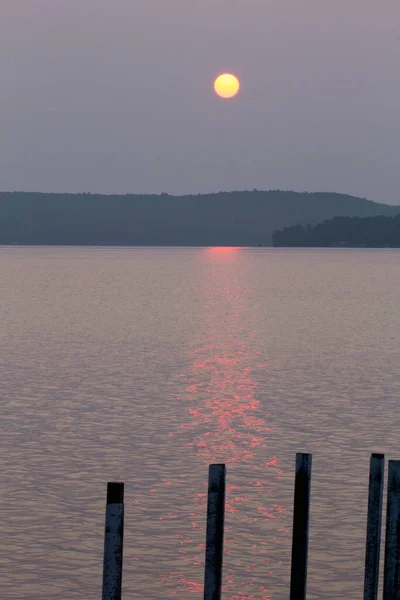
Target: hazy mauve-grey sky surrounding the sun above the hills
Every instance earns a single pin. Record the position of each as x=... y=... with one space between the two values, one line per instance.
x=117 y=96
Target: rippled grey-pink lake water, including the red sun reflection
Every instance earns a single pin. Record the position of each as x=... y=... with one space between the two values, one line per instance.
x=145 y=365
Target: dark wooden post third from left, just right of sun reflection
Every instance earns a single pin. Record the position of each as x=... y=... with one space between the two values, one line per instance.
x=301 y=517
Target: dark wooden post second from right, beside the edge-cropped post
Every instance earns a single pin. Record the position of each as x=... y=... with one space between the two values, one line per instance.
x=374 y=526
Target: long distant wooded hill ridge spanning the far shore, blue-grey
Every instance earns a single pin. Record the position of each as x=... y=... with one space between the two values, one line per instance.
x=223 y=219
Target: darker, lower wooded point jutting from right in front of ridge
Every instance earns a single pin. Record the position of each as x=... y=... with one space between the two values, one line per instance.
x=370 y=232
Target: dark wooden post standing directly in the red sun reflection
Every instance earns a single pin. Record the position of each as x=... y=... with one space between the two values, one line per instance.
x=215 y=532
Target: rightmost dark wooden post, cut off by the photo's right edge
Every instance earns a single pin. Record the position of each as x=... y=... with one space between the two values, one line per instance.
x=391 y=584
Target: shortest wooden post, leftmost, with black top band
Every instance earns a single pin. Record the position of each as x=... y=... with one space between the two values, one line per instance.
x=113 y=542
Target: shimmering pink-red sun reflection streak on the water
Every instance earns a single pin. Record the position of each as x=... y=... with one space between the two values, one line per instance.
x=227 y=423
